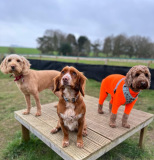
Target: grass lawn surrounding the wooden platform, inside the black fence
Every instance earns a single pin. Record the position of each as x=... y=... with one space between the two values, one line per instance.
x=12 y=147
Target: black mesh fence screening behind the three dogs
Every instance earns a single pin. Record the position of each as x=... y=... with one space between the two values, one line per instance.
x=96 y=72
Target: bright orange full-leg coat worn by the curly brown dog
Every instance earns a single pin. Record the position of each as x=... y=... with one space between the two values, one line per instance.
x=117 y=98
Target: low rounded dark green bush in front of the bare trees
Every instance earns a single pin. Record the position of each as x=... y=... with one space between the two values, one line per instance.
x=65 y=49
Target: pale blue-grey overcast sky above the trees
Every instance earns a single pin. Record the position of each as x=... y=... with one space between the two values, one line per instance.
x=23 y=21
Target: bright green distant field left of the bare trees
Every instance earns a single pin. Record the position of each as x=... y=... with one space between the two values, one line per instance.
x=17 y=50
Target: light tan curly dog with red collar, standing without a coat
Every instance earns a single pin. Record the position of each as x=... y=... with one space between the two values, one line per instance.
x=29 y=81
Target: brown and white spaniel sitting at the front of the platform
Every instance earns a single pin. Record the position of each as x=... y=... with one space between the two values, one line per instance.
x=71 y=108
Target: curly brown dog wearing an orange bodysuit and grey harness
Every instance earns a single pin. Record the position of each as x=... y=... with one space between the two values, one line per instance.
x=123 y=90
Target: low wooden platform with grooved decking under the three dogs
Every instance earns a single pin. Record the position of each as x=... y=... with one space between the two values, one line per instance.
x=101 y=138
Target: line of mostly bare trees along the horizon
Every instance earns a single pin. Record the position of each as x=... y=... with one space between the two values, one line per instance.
x=112 y=46
